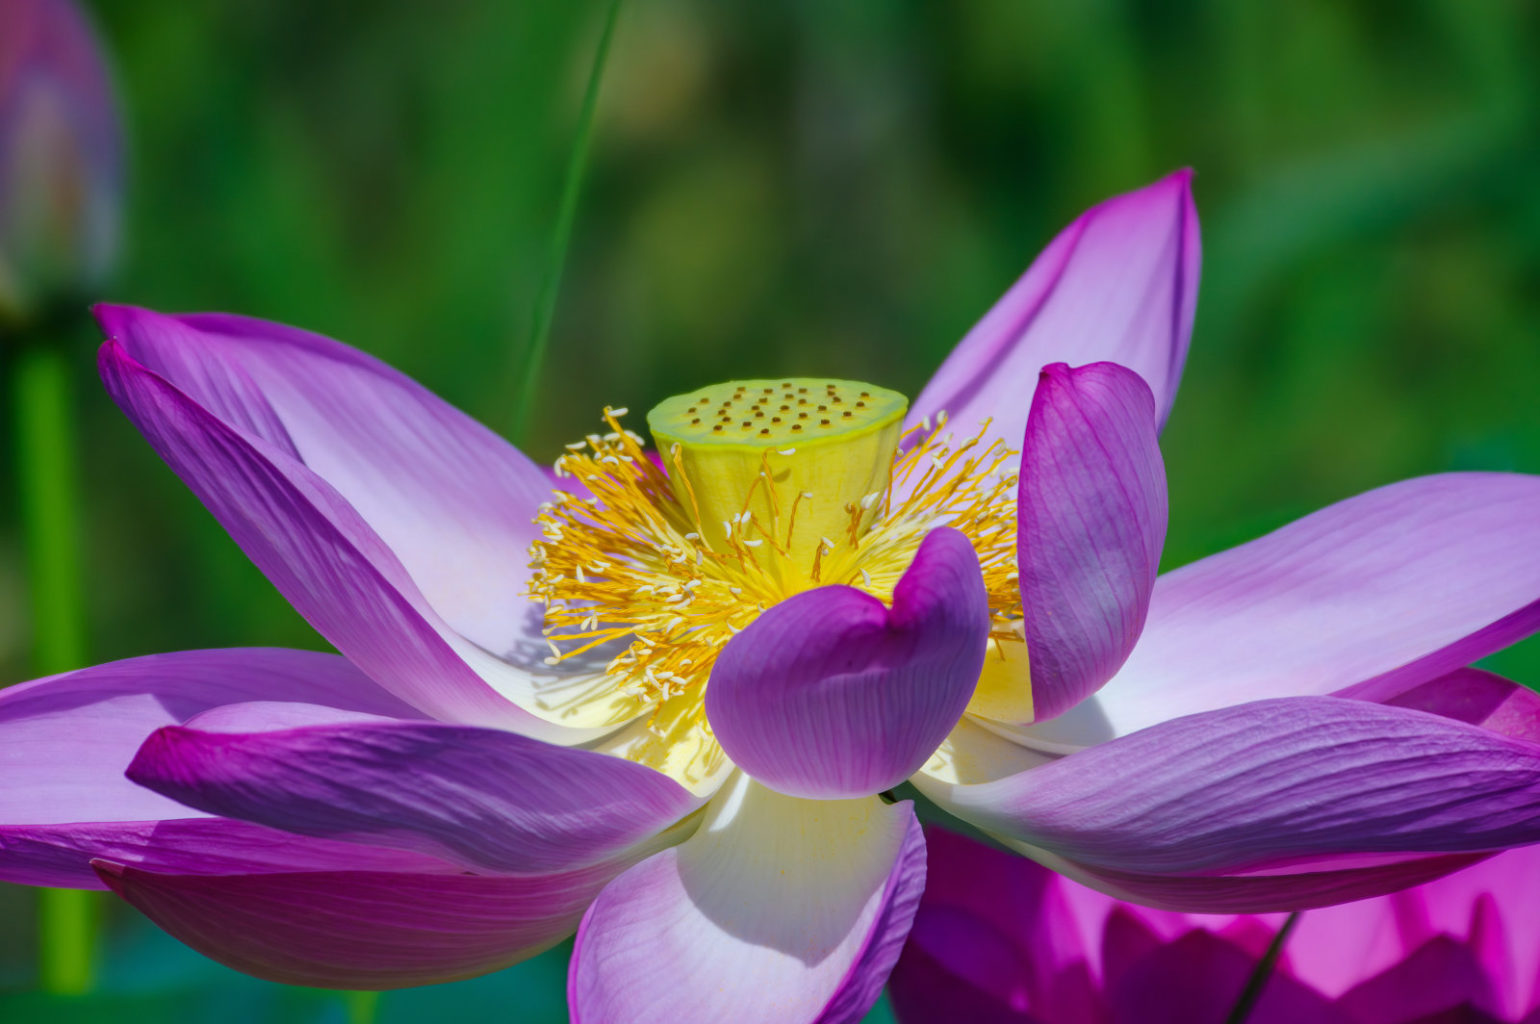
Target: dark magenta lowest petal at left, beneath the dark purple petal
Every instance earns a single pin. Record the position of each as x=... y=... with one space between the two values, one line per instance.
x=363 y=929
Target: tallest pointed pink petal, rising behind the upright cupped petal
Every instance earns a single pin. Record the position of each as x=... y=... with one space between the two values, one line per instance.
x=1120 y=284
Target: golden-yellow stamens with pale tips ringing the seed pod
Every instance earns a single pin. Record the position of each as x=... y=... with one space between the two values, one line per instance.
x=632 y=567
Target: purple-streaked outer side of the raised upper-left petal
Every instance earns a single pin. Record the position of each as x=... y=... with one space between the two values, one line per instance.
x=316 y=549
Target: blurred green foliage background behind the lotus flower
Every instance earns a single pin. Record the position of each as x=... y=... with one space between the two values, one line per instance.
x=798 y=189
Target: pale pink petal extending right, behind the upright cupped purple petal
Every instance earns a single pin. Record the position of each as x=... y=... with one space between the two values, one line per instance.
x=1376 y=594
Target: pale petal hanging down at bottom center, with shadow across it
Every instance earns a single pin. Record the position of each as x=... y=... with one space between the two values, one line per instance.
x=777 y=911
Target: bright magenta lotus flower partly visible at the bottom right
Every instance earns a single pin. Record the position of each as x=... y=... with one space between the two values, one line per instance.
x=1002 y=940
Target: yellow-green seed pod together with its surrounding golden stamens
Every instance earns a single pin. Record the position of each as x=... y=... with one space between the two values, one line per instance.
x=760 y=490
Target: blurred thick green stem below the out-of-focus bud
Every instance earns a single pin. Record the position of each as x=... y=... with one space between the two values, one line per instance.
x=45 y=464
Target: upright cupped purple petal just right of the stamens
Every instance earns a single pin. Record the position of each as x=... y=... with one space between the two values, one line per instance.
x=1091 y=526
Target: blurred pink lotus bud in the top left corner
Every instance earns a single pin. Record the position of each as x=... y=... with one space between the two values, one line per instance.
x=61 y=158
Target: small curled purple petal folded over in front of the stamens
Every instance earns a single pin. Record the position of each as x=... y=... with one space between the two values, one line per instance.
x=832 y=695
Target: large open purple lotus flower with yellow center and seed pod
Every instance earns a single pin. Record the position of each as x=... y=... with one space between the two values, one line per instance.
x=665 y=704
